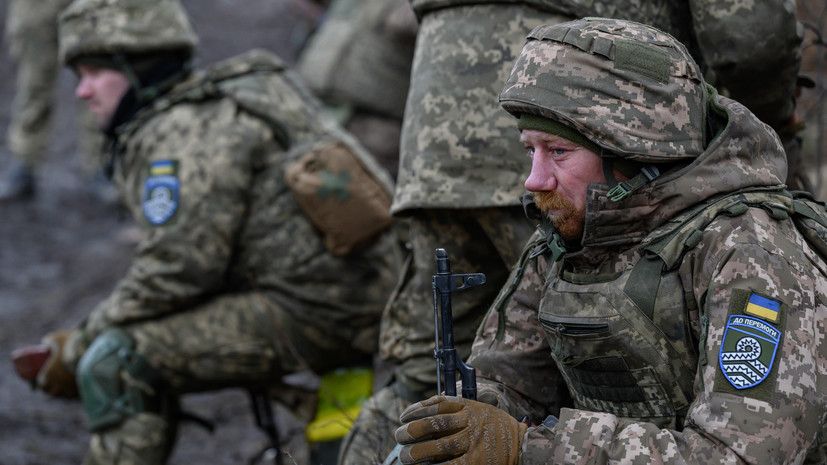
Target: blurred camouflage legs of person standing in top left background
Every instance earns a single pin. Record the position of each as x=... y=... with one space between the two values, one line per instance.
x=31 y=34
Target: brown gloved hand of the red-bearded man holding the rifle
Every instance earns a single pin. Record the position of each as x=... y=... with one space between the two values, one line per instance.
x=459 y=431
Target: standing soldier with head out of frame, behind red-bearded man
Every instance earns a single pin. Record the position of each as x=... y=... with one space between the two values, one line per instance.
x=461 y=172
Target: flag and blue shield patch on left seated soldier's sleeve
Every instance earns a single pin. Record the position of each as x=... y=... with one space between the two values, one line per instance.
x=160 y=199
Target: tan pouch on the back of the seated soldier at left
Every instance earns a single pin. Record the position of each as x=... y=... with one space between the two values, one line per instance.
x=341 y=197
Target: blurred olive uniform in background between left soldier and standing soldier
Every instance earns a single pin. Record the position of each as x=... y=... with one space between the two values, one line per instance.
x=359 y=64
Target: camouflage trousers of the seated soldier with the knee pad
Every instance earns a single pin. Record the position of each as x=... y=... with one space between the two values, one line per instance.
x=241 y=340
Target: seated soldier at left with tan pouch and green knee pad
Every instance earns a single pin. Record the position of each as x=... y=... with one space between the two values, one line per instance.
x=248 y=270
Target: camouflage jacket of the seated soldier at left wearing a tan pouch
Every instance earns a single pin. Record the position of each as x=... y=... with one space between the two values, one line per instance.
x=230 y=223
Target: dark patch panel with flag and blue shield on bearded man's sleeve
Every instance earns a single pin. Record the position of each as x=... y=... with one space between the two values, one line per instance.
x=749 y=347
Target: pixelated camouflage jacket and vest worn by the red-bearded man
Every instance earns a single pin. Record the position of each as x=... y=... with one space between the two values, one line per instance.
x=638 y=385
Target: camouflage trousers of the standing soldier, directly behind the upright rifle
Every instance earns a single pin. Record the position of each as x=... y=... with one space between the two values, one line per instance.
x=486 y=240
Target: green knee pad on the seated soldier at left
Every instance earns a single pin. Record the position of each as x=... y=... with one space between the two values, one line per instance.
x=113 y=380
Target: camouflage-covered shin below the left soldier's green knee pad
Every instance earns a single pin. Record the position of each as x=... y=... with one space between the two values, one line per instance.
x=143 y=439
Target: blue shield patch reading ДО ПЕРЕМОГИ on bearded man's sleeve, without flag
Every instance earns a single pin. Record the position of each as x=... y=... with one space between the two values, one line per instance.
x=748 y=351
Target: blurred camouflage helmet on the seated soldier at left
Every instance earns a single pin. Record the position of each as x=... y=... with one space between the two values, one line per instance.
x=103 y=27
